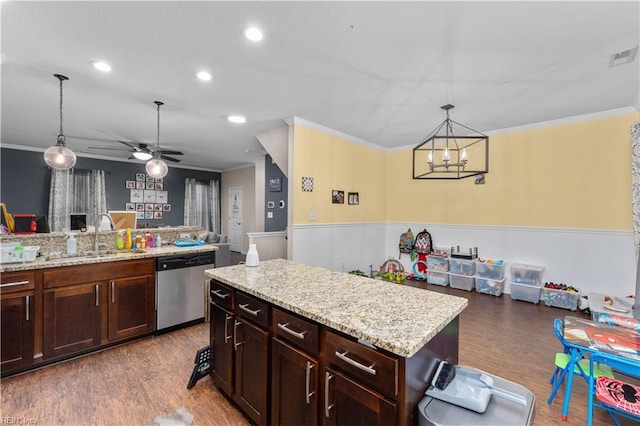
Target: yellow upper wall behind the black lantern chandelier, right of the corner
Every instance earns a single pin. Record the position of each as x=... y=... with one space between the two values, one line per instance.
x=574 y=175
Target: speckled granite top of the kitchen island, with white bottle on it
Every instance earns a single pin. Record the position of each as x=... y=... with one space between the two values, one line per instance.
x=397 y=318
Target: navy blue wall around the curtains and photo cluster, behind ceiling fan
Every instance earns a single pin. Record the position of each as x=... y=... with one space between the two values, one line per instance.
x=25 y=180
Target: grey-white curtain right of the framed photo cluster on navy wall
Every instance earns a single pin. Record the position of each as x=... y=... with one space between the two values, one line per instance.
x=202 y=204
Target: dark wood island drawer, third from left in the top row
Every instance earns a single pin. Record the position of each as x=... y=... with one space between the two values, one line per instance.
x=301 y=333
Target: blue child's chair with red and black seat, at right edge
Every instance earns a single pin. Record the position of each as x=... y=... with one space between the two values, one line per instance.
x=616 y=397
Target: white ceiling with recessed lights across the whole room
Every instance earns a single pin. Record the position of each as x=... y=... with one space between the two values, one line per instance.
x=378 y=71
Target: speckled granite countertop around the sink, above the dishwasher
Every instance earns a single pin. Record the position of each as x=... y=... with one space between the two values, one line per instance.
x=43 y=262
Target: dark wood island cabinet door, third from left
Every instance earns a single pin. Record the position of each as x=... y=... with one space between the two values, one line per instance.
x=294 y=380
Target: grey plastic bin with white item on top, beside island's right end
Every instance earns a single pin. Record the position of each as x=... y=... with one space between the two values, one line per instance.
x=462 y=395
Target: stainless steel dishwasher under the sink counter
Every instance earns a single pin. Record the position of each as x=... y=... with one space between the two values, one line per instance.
x=180 y=290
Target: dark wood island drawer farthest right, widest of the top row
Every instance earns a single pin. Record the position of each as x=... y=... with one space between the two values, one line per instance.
x=378 y=370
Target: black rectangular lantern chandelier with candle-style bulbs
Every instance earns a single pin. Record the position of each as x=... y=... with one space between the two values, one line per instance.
x=451 y=154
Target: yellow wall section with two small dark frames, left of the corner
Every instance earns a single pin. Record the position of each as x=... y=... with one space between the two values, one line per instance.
x=336 y=163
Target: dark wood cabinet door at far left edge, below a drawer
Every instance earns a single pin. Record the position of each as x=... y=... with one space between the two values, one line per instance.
x=16 y=335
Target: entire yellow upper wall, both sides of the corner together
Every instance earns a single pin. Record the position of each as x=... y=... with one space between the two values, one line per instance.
x=575 y=175
